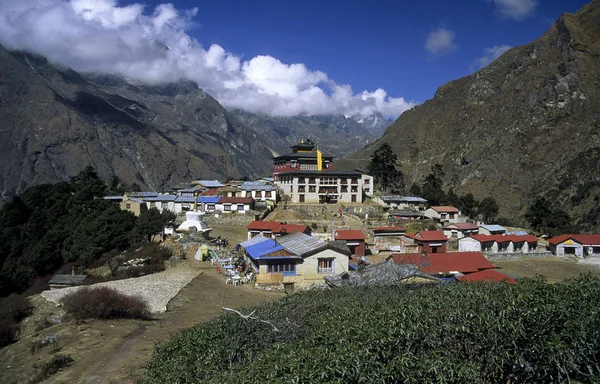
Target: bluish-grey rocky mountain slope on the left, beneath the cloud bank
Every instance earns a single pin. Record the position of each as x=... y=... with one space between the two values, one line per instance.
x=54 y=122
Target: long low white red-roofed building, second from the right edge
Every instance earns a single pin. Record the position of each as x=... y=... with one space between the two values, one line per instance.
x=498 y=244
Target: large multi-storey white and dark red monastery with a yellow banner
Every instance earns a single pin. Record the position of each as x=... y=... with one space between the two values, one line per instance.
x=307 y=176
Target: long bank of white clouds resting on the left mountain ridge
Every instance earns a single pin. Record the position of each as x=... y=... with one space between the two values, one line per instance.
x=100 y=36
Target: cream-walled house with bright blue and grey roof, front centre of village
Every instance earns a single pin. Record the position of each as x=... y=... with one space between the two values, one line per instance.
x=294 y=260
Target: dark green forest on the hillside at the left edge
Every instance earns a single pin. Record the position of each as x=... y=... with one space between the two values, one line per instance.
x=50 y=225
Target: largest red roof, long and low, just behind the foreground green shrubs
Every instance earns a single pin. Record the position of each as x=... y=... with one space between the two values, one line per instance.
x=445 y=264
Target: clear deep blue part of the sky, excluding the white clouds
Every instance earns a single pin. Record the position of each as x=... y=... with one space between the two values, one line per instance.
x=371 y=44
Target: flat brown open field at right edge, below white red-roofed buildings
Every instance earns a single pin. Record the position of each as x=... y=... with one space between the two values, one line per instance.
x=553 y=268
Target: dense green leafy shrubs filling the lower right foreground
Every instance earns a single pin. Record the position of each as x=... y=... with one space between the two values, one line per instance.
x=532 y=332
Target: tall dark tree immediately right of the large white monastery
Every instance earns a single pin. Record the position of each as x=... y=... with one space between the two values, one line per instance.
x=383 y=168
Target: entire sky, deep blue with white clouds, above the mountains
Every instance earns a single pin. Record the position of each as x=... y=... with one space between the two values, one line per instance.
x=283 y=57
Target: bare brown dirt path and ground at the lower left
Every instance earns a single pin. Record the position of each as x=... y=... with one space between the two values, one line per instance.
x=117 y=351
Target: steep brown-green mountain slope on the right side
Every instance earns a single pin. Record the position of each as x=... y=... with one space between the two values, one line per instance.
x=527 y=124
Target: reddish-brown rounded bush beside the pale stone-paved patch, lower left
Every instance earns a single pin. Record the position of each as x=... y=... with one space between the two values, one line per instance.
x=104 y=303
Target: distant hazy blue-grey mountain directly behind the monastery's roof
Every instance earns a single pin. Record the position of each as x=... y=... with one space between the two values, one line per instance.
x=335 y=135
